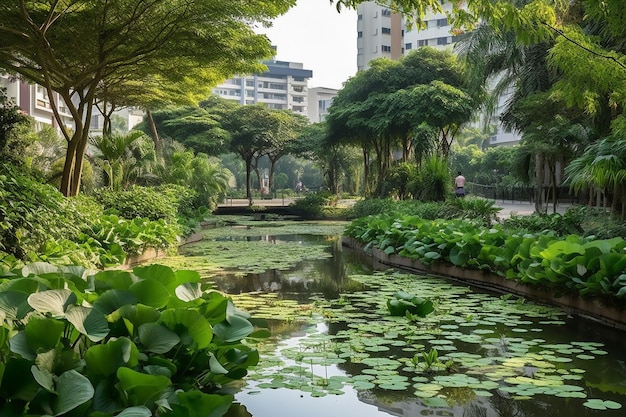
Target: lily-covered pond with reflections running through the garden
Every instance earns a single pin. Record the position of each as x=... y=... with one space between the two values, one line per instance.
x=336 y=350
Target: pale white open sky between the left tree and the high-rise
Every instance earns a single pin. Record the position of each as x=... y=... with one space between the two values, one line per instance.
x=315 y=34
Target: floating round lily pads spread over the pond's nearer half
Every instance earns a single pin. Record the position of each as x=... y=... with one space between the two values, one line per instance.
x=471 y=346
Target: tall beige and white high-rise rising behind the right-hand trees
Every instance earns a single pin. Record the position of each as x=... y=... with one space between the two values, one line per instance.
x=382 y=33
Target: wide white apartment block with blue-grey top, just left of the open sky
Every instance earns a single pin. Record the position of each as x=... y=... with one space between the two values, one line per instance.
x=284 y=86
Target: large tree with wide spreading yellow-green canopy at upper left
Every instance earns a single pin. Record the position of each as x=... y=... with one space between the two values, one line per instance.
x=73 y=46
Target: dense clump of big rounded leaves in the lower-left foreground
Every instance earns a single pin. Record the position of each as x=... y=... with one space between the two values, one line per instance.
x=78 y=343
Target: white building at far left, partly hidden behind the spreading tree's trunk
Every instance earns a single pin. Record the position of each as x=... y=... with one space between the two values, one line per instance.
x=34 y=101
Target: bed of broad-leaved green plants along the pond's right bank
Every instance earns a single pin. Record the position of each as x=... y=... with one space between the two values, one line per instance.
x=571 y=264
